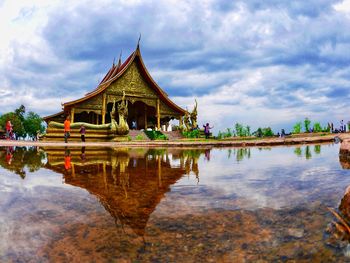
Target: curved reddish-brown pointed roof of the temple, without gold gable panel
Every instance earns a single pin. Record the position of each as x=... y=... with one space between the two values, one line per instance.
x=117 y=71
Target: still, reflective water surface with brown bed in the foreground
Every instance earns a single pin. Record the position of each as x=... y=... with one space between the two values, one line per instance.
x=173 y=205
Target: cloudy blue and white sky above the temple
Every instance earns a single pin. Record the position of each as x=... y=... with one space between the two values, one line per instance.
x=260 y=63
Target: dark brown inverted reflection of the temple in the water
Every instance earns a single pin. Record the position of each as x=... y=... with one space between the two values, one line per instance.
x=129 y=183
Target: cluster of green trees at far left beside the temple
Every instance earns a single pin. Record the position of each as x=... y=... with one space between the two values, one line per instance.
x=23 y=124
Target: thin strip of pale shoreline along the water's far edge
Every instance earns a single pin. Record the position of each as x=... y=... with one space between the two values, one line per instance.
x=191 y=143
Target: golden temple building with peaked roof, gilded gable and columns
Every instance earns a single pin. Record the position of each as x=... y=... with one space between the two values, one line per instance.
x=148 y=105
